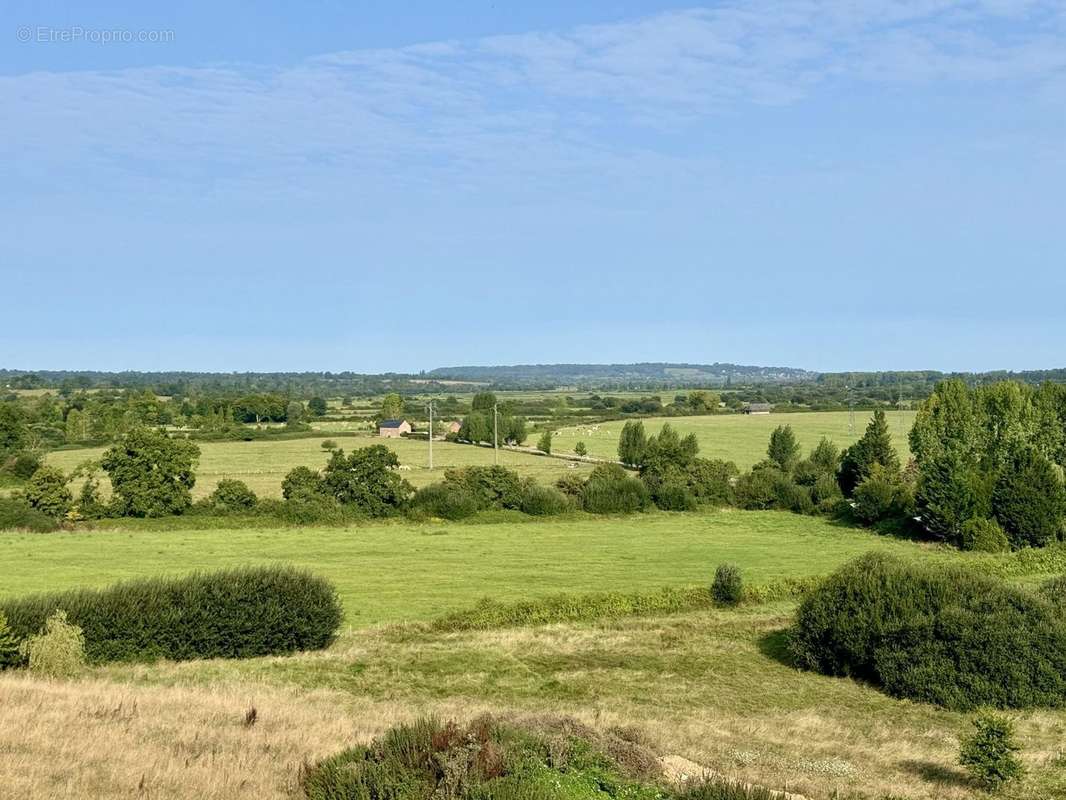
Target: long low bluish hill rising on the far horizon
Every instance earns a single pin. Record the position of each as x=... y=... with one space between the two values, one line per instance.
x=623 y=375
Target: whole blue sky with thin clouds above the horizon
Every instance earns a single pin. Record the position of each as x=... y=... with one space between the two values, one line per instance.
x=400 y=186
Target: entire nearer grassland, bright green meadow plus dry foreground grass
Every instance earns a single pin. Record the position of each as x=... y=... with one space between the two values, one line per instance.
x=714 y=686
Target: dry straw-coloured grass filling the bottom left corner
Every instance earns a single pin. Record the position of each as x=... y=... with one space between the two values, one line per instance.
x=99 y=740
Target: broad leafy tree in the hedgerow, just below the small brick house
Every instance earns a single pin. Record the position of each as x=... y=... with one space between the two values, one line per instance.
x=367 y=481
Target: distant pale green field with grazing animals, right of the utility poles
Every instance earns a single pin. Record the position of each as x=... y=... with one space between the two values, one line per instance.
x=739 y=438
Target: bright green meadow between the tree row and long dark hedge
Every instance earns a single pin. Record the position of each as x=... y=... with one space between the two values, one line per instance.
x=393 y=571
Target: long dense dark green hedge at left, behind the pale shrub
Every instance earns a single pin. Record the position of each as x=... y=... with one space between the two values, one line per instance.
x=232 y=614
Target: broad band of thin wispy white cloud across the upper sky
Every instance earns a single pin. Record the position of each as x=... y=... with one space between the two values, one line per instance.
x=522 y=104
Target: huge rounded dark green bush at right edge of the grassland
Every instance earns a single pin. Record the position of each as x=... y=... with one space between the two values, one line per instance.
x=939 y=635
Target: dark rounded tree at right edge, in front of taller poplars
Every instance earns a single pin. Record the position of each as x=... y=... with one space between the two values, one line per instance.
x=1029 y=501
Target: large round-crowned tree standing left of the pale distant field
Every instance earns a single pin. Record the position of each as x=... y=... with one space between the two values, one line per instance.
x=151 y=474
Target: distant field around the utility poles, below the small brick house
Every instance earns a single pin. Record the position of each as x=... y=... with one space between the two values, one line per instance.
x=264 y=465
